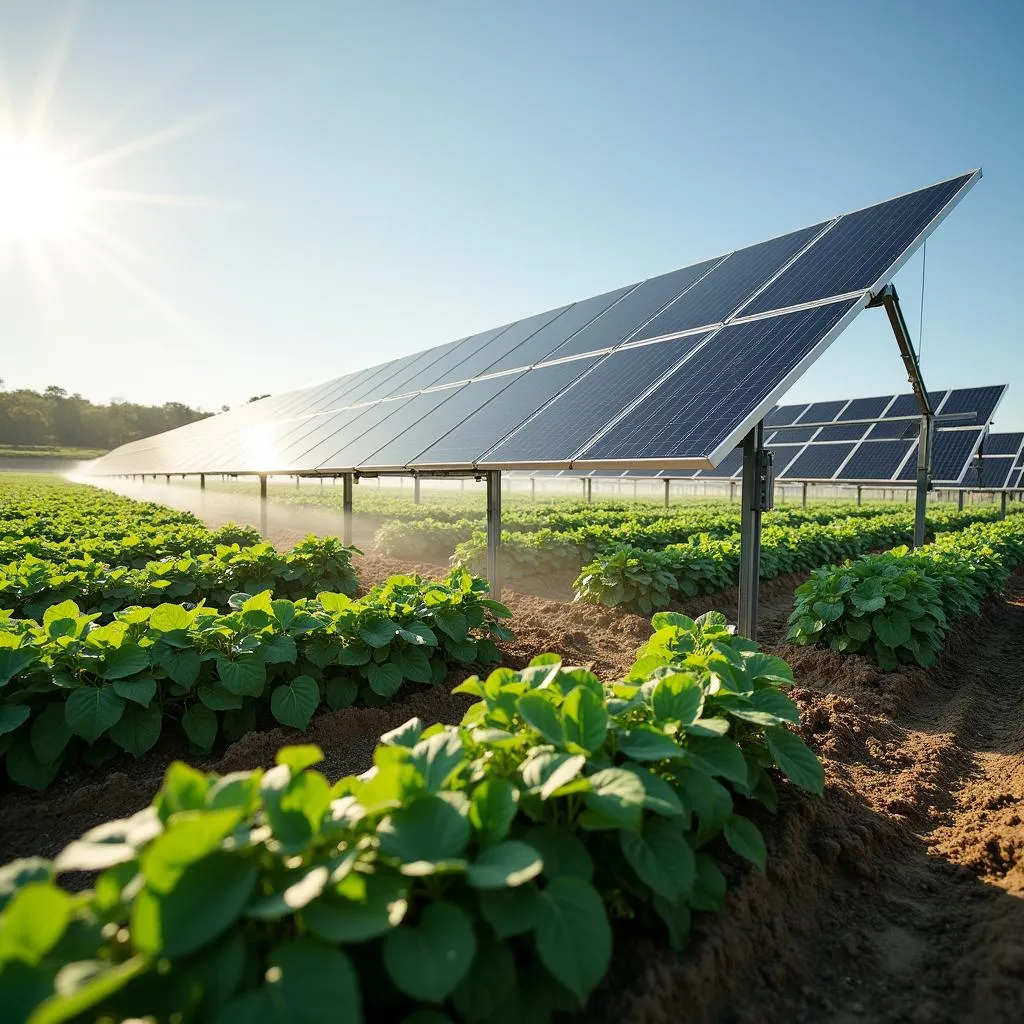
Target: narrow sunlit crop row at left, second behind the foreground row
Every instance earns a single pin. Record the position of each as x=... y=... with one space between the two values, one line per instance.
x=30 y=585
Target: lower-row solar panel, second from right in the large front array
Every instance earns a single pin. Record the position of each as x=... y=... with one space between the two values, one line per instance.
x=579 y=413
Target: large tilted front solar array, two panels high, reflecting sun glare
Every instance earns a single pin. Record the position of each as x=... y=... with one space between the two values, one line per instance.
x=668 y=373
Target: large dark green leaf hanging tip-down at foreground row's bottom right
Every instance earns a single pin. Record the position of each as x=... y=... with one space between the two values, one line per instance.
x=574 y=938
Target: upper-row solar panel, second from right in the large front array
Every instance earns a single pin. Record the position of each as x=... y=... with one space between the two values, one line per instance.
x=726 y=289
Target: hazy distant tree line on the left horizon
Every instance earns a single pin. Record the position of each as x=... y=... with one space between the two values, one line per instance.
x=55 y=417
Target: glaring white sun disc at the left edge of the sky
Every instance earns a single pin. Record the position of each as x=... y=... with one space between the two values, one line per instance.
x=39 y=196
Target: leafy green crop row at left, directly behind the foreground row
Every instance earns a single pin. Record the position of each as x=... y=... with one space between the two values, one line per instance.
x=72 y=689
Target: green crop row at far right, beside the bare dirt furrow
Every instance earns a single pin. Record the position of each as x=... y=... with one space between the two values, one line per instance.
x=899 y=607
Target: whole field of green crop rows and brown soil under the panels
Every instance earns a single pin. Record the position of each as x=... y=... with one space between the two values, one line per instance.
x=247 y=784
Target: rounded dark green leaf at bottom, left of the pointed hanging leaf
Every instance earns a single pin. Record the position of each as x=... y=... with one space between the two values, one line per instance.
x=428 y=962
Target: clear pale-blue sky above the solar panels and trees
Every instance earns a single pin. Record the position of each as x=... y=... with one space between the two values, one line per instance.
x=290 y=191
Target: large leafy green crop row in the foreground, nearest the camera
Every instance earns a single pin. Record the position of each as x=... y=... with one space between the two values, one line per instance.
x=473 y=875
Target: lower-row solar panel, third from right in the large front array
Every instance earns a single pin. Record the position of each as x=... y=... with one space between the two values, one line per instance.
x=485 y=429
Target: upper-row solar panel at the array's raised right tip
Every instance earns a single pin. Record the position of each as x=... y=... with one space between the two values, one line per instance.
x=860 y=250
